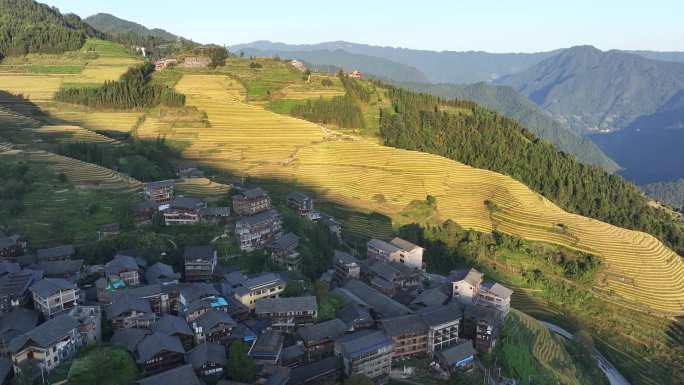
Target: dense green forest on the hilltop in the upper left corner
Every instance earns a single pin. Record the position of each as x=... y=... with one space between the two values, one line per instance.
x=30 y=27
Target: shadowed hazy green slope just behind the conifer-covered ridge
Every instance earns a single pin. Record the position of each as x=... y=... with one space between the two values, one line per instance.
x=515 y=106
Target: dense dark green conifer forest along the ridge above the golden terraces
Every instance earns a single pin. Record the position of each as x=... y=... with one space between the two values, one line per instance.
x=484 y=139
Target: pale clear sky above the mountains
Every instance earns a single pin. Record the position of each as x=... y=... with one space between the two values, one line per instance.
x=456 y=25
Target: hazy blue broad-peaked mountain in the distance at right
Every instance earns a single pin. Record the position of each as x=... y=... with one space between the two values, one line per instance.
x=592 y=90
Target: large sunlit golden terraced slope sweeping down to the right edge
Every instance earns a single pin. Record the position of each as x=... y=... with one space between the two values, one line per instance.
x=245 y=138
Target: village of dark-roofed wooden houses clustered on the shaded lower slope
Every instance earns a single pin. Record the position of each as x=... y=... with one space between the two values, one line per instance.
x=178 y=325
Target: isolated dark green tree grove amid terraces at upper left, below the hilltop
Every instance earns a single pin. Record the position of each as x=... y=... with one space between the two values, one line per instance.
x=131 y=91
